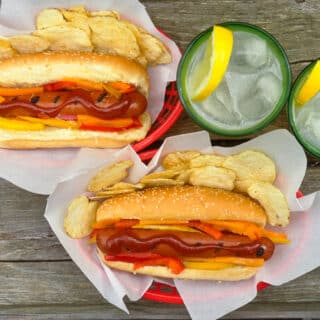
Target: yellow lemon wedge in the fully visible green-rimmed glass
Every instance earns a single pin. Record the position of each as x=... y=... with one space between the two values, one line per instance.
x=211 y=69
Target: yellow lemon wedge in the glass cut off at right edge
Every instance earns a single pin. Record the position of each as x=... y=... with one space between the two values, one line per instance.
x=311 y=87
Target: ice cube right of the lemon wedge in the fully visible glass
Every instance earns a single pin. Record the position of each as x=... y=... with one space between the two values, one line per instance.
x=249 y=53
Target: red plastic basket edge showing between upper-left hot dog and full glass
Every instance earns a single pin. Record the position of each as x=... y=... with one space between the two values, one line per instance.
x=169 y=114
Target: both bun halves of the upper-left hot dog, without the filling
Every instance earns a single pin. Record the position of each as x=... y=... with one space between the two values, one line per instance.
x=36 y=69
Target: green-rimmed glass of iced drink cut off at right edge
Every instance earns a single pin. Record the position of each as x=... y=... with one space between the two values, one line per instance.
x=305 y=119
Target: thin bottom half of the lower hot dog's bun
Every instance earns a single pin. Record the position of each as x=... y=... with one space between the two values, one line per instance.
x=229 y=274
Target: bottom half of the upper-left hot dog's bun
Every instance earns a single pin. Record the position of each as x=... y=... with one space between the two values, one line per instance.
x=60 y=138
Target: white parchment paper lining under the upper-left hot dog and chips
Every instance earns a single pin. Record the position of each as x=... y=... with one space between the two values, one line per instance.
x=39 y=171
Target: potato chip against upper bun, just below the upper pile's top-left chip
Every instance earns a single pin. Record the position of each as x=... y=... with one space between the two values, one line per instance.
x=65 y=38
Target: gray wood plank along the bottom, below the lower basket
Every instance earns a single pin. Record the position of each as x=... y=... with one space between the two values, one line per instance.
x=60 y=286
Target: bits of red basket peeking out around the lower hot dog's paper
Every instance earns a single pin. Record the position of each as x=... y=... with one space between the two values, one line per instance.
x=162 y=292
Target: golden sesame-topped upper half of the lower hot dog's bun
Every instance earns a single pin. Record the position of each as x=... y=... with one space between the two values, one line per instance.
x=182 y=203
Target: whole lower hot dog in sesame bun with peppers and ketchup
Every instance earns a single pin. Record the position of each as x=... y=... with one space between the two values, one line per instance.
x=186 y=232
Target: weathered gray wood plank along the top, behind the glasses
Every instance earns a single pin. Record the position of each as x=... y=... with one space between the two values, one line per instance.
x=293 y=23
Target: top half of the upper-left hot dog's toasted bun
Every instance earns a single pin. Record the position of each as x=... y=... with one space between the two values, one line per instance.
x=34 y=69
